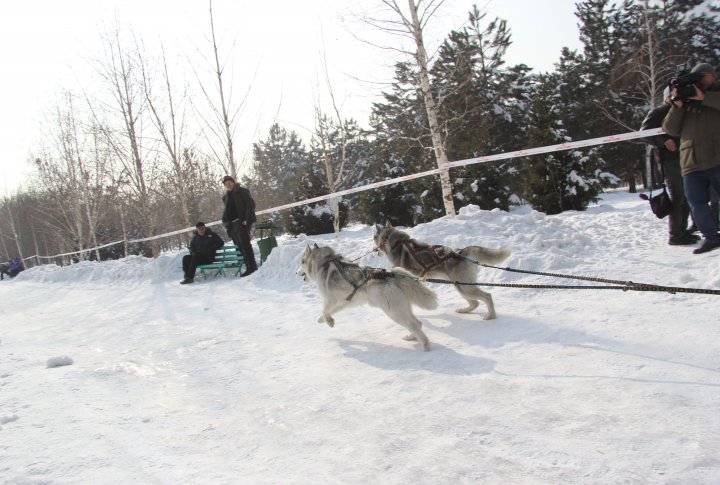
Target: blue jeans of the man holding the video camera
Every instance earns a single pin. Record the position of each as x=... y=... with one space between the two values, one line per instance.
x=698 y=187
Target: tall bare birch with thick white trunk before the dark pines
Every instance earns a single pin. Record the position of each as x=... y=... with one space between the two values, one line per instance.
x=412 y=22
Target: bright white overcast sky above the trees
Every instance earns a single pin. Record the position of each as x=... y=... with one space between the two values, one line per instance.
x=46 y=45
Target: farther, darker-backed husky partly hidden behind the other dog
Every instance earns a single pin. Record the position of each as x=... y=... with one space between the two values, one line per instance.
x=441 y=262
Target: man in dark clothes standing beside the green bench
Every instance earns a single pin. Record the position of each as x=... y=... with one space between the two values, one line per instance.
x=238 y=217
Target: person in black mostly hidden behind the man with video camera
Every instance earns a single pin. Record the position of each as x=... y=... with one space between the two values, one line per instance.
x=667 y=148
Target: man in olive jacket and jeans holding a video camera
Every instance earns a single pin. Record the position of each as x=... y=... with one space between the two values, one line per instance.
x=696 y=120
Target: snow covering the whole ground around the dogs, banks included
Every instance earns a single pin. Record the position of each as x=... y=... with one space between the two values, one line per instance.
x=233 y=381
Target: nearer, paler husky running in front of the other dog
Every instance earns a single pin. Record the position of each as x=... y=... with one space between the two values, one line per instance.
x=343 y=284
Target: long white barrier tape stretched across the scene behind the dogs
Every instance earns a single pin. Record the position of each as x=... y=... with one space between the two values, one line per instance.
x=460 y=163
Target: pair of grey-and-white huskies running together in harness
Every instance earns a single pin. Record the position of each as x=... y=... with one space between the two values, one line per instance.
x=343 y=284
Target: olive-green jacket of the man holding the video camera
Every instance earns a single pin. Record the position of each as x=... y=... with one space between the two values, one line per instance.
x=697 y=124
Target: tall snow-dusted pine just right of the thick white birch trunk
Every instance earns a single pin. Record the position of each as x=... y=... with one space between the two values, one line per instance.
x=483 y=103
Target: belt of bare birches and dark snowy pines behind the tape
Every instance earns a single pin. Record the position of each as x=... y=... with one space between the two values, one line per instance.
x=120 y=171
